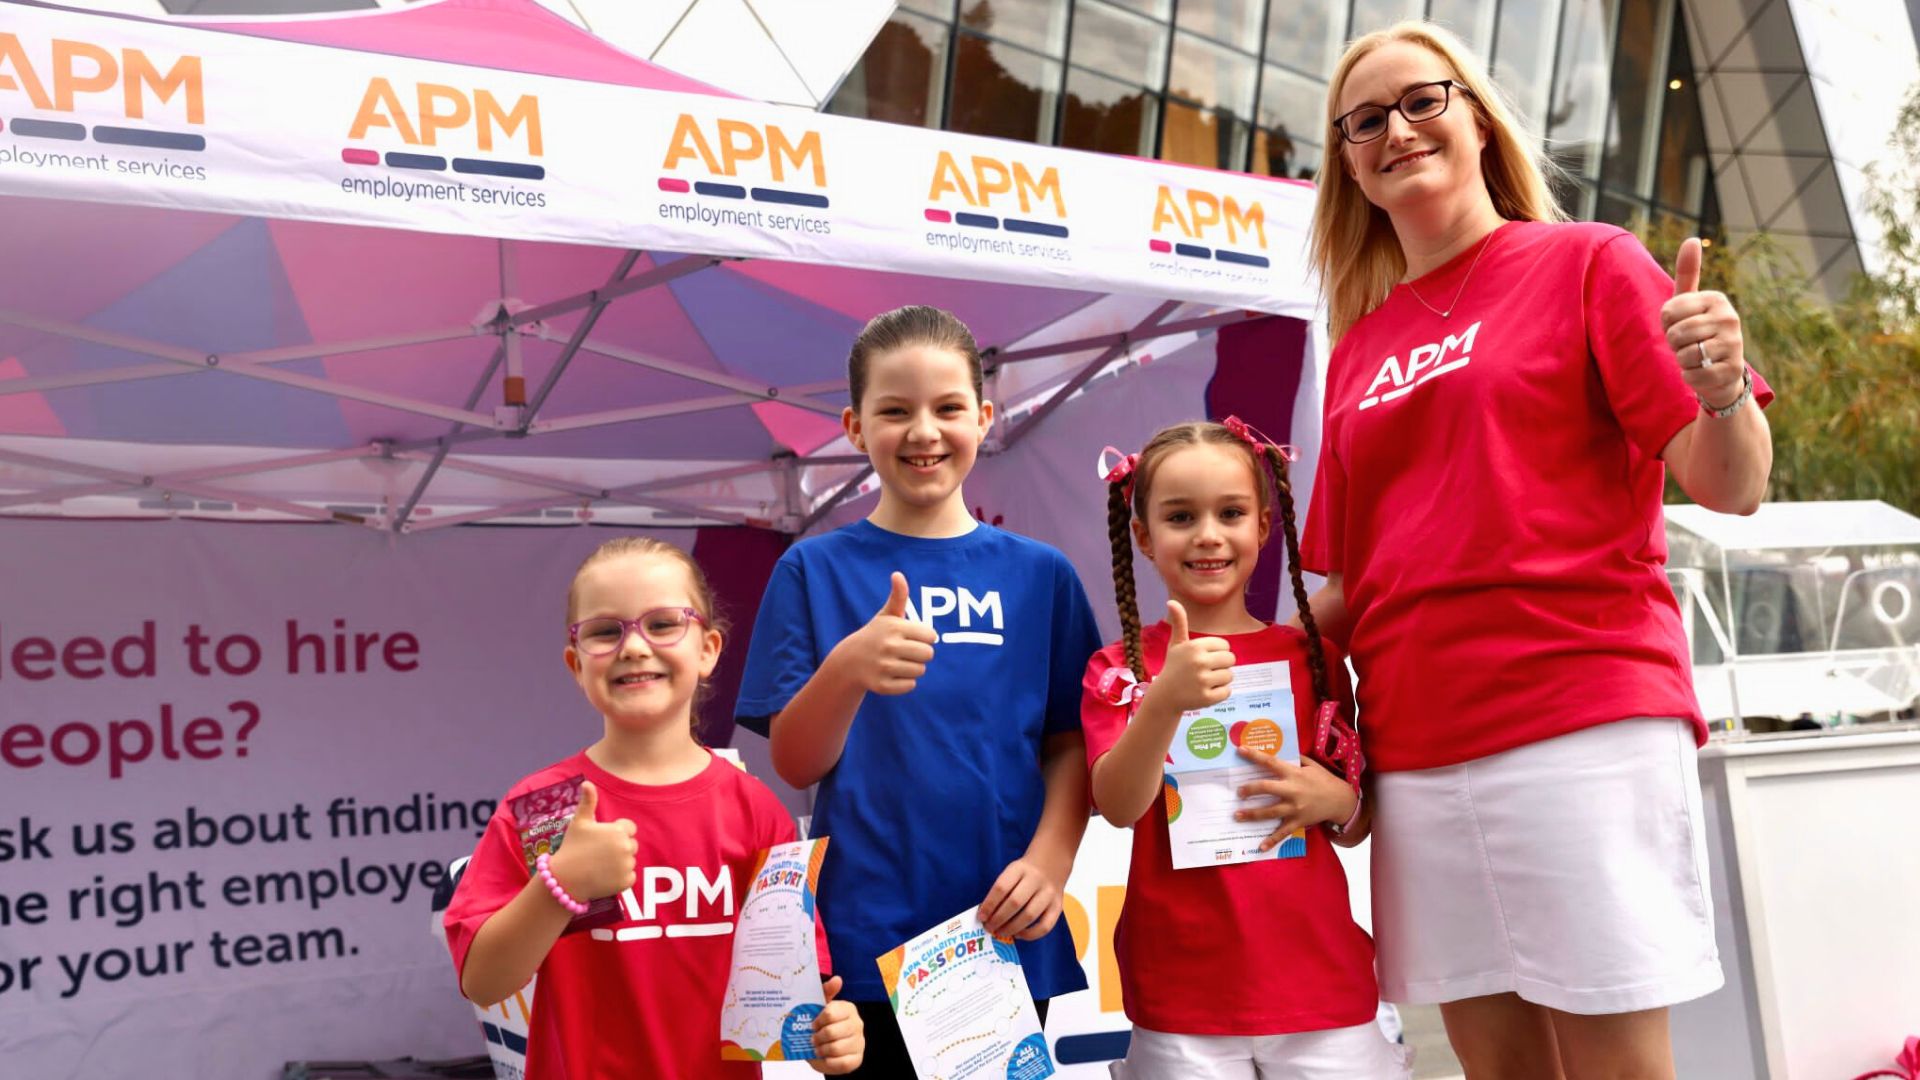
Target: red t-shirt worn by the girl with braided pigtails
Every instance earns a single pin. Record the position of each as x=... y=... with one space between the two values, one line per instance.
x=1247 y=950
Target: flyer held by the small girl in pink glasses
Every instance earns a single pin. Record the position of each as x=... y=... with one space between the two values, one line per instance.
x=775 y=991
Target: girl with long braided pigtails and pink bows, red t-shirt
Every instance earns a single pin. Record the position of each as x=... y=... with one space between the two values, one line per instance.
x=1207 y=996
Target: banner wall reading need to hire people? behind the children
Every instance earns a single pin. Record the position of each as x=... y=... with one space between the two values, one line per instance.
x=237 y=762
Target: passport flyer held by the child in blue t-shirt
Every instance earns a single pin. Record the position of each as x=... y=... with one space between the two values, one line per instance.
x=963 y=1006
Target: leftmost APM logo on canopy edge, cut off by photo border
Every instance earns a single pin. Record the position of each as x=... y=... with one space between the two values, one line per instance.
x=72 y=70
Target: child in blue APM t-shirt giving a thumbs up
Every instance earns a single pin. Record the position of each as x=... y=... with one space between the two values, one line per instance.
x=924 y=670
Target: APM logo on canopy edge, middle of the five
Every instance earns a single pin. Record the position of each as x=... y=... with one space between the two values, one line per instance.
x=736 y=155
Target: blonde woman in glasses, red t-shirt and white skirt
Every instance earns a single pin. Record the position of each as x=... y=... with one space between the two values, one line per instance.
x=1506 y=397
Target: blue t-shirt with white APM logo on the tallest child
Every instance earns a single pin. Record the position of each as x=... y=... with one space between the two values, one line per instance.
x=940 y=789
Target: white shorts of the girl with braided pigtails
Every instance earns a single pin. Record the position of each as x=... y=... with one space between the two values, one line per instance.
x=1341 y=1054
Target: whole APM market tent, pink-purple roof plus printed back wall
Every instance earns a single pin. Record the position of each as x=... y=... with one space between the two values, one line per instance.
x=466 y=264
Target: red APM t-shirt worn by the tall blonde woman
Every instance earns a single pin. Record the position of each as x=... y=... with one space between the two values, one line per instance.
x=1491 y=491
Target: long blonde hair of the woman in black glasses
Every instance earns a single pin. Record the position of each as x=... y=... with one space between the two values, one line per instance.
x=1355 y=247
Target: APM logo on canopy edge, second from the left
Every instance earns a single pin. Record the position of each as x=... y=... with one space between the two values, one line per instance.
x=435 y=114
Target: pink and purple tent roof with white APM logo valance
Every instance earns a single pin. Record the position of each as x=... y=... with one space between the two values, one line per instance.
x=479 y=266
